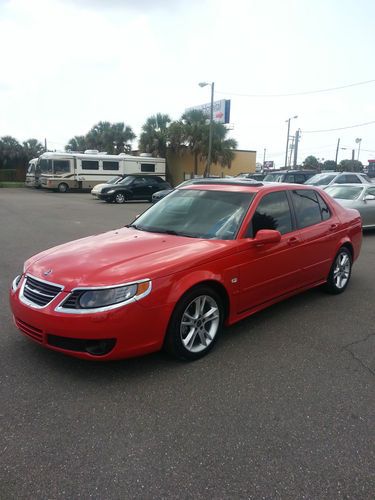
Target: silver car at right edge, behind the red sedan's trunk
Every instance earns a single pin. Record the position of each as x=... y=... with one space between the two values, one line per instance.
x=359 y=196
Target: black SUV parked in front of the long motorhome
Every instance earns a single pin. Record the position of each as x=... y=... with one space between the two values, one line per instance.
x=133 y=187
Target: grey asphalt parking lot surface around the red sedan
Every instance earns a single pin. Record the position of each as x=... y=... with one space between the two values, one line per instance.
x=283 y=407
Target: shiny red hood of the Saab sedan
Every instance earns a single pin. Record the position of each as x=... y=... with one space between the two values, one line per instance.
x=122 y=255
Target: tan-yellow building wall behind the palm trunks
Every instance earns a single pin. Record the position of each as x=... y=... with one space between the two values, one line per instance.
x=179 y=166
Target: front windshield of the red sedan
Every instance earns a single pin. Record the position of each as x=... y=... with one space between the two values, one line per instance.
x=197 y=213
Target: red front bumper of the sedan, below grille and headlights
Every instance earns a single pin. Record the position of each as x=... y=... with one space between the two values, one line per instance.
x=120 y=333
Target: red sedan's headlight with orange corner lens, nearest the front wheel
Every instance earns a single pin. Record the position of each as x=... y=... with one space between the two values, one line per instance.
x=102 y=299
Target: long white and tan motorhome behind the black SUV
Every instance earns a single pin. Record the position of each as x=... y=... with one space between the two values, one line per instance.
x=64 y=171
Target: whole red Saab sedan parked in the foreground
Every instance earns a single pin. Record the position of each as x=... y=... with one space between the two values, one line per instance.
x=209 y=254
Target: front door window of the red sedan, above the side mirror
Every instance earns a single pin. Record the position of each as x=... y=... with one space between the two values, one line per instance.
x=272 y=212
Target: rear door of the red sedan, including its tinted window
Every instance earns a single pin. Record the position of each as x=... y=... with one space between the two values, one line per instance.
x=318 y=229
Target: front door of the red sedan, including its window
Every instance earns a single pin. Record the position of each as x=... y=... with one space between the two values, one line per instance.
x=271 y=270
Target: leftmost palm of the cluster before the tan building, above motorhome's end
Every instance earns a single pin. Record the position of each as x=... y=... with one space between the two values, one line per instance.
x=154 y=137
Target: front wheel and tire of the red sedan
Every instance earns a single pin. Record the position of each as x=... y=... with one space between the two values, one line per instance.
x=195 y=325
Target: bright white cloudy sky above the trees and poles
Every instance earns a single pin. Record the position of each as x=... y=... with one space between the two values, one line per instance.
x=65 y=65
